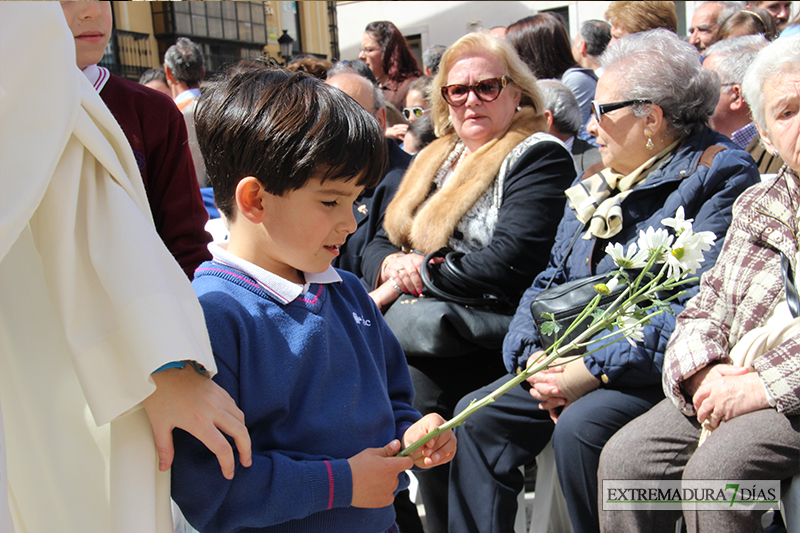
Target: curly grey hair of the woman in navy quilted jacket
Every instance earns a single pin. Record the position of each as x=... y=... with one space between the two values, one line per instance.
x=658 y=66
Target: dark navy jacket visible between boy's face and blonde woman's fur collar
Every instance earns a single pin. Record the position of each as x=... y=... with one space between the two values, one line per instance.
x=369 y=209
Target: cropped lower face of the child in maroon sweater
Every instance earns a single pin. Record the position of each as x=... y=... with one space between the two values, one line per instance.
x=90 y=23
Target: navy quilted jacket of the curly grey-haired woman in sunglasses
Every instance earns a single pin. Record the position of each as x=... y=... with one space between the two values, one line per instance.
x=707 y=195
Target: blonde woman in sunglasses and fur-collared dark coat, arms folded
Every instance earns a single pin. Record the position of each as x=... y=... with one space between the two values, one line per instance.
x=492 y=186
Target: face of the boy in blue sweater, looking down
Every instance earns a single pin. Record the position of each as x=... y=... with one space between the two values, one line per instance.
x=307 y=226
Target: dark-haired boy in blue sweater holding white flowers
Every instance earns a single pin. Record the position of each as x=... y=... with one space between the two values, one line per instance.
x=300 y=346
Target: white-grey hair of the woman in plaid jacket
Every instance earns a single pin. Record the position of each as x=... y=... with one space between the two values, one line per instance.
x=782 y=55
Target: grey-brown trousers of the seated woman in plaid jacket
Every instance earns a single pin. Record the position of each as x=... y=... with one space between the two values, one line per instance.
x=662 y=445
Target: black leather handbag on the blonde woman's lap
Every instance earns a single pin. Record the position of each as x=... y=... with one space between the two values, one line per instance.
x=441 y=324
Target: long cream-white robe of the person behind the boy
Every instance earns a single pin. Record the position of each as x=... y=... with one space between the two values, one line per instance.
x=91 y=301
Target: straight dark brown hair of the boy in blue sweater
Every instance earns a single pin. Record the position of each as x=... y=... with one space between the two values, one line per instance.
x=282 y=128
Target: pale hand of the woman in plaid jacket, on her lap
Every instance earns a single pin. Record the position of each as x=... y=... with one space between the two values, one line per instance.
x=727 y=392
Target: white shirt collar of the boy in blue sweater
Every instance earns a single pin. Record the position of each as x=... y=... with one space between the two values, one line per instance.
x=281 y=288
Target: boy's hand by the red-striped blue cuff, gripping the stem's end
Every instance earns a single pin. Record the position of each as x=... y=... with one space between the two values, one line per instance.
x=375 y=472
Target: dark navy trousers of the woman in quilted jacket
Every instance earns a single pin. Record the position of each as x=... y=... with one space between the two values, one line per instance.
x=485 y=476
